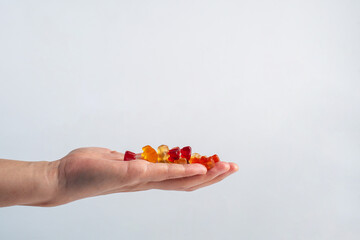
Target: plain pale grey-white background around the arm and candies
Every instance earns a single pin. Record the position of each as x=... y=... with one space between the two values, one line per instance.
x=271 y=85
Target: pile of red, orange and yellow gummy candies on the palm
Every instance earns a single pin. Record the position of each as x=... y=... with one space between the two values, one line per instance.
x=174 y=155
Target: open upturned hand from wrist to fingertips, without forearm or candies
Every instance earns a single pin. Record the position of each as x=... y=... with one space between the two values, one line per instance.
x=87 y=172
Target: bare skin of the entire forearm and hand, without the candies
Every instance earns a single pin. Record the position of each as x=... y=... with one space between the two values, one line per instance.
x=88 y=172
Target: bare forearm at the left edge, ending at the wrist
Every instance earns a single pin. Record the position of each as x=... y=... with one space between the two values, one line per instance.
x=28 y=183
